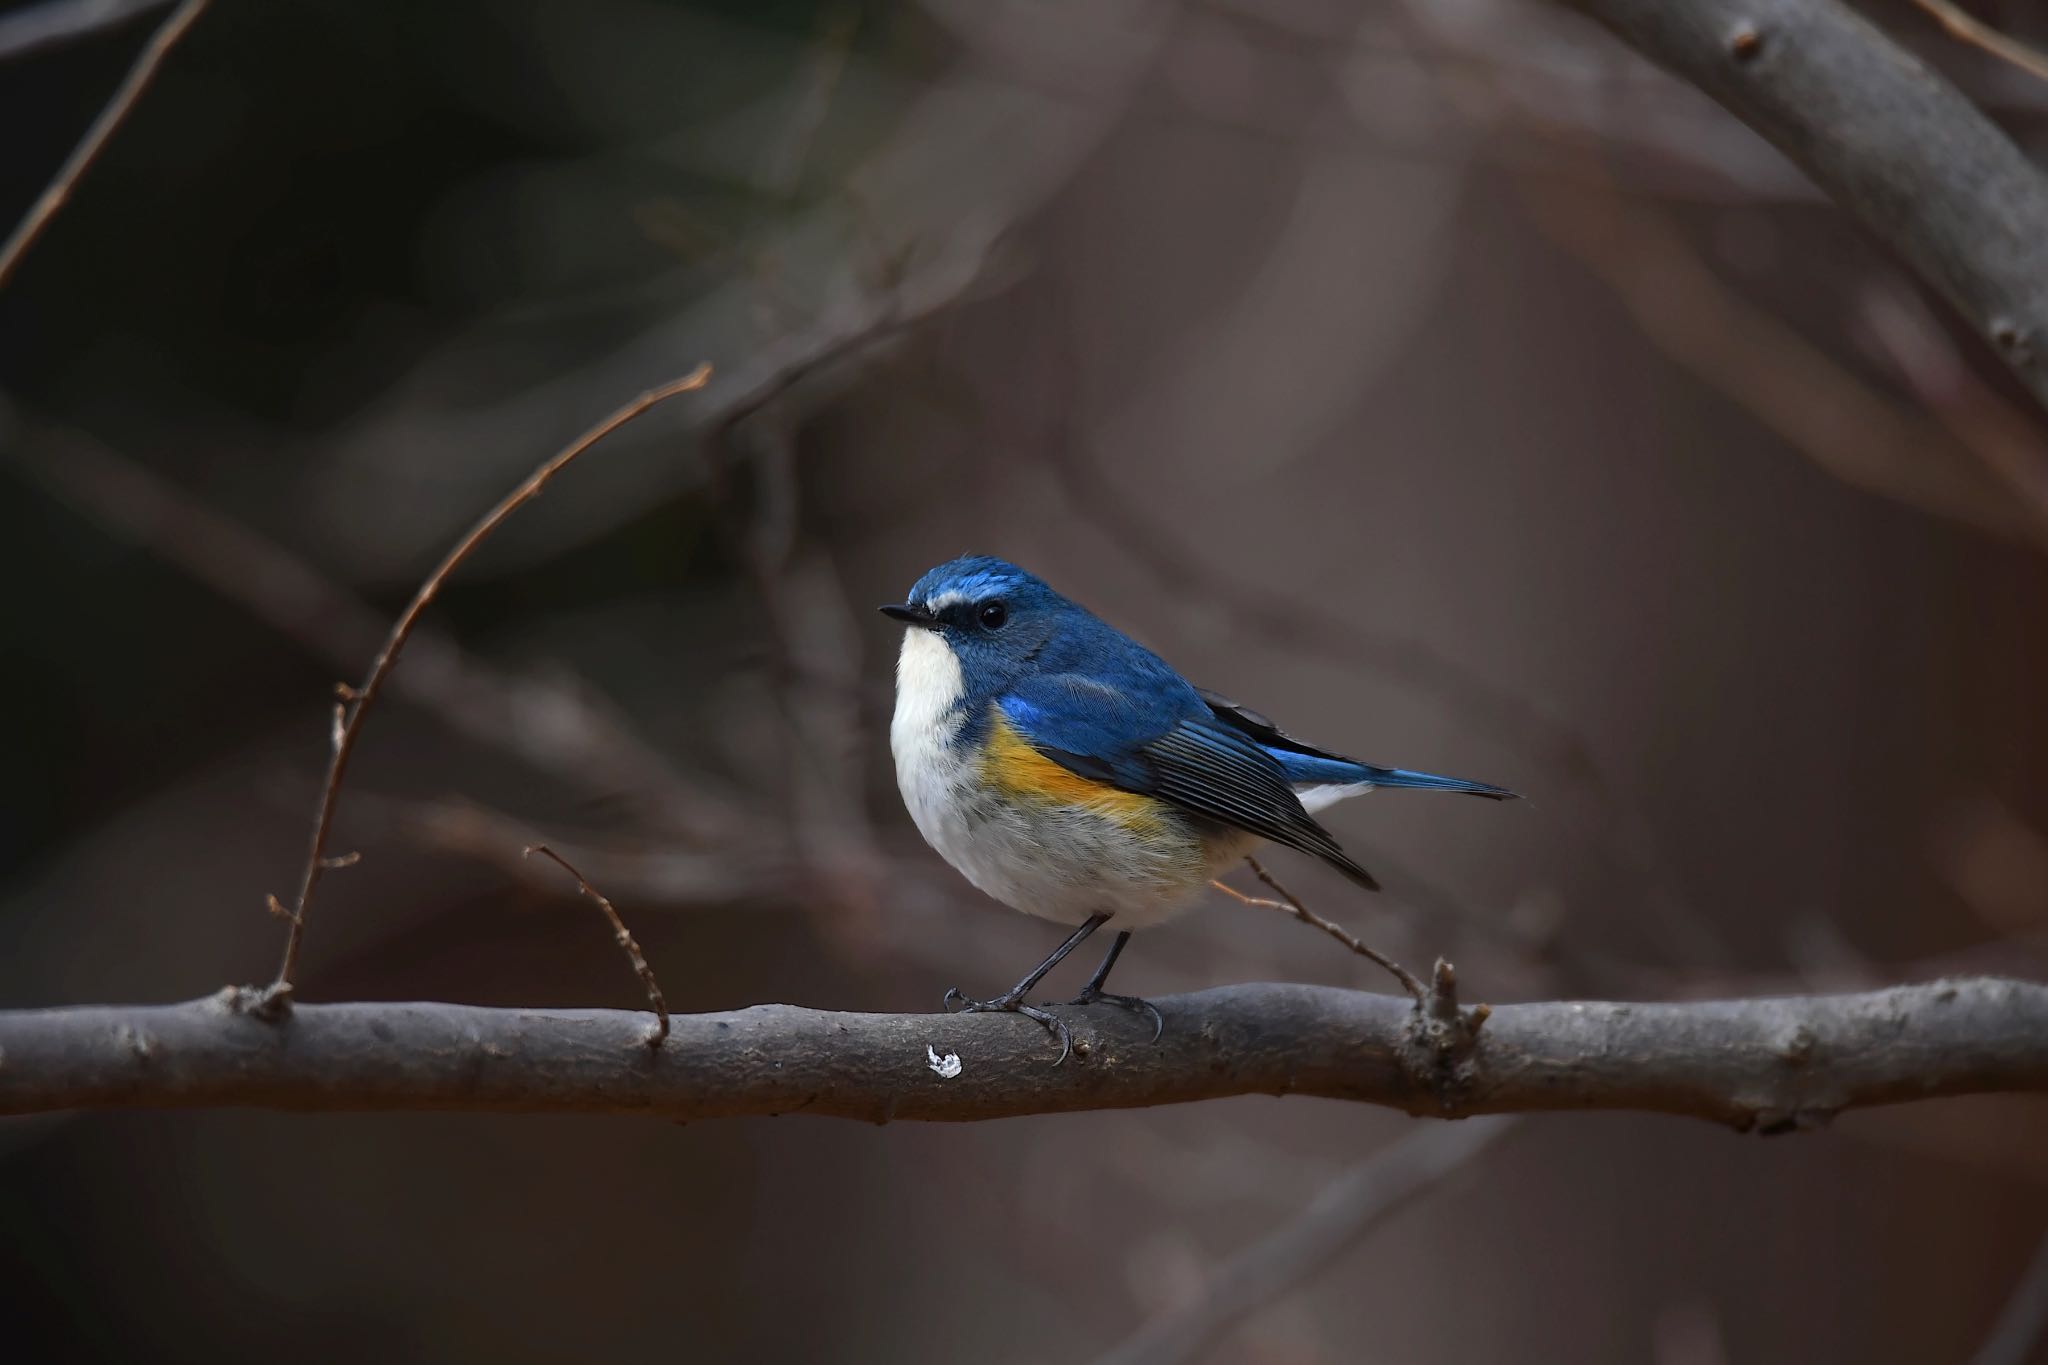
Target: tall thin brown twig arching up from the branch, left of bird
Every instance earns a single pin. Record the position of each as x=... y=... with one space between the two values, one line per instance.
x=361 y=699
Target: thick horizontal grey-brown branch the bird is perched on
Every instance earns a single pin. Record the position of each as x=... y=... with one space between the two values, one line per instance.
x=1766 y=1063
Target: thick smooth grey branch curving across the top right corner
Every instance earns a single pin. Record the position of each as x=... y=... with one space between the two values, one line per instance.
x=1883 y=136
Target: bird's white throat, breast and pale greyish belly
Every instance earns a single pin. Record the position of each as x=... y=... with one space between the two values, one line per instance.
x=1050 y=861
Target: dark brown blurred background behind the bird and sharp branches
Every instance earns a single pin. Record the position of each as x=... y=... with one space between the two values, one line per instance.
x=1437 y=378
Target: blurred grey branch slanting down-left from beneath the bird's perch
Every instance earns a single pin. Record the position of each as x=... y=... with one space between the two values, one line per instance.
x=1322 y=1233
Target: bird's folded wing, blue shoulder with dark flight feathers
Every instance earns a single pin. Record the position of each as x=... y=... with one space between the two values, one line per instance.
x=1148 y=732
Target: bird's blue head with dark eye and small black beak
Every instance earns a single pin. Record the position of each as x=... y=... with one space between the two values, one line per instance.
x=994 y=617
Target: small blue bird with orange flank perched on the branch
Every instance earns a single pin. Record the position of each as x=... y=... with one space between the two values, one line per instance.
x=1068 y=773
